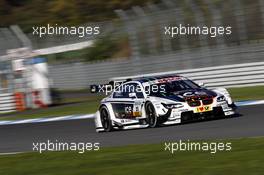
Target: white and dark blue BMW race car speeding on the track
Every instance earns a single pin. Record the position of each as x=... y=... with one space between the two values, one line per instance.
x=159 y=100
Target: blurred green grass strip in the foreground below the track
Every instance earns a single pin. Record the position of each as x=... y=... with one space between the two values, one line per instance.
x=246 y=157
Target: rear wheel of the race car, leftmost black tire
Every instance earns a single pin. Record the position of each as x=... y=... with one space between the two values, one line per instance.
x=105 y=119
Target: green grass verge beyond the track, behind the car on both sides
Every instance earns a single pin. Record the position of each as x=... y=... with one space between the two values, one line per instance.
x=89 y=105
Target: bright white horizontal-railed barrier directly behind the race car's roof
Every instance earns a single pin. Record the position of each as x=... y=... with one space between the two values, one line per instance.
x=238 y=75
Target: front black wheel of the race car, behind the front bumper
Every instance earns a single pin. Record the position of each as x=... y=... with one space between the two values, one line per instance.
x=151 y=115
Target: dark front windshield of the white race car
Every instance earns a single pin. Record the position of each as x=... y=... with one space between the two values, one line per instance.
x=172 y=87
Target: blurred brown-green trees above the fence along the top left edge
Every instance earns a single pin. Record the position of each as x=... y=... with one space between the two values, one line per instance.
x=28 y=13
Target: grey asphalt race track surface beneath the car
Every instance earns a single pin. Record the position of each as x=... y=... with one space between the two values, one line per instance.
x=20 y=138
